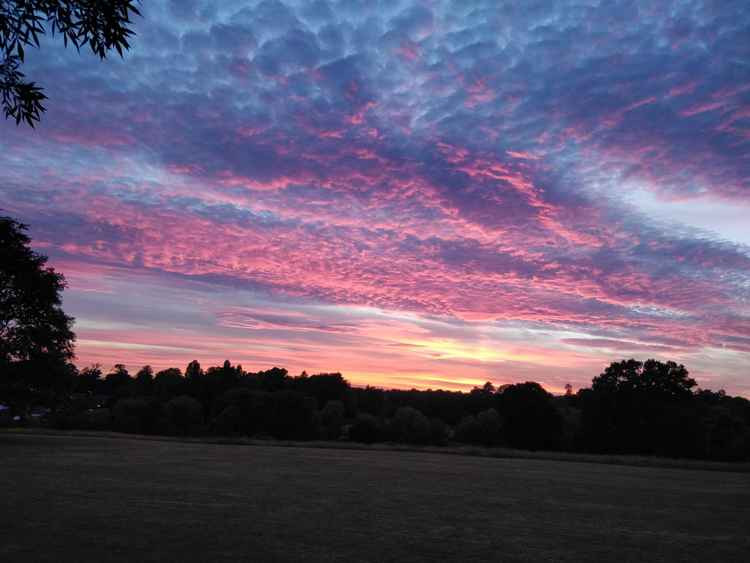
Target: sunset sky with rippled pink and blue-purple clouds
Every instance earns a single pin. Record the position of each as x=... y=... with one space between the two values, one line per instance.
x=416 y=194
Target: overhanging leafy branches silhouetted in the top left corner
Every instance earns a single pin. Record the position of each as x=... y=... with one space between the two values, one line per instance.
x=100 y=25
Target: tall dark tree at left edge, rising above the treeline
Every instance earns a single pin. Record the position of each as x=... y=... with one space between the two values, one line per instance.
x=36 y=337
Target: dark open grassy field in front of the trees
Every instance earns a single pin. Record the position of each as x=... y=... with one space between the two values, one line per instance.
x=83 y=498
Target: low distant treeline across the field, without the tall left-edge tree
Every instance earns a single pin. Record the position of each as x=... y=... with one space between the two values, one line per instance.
x=646 y=408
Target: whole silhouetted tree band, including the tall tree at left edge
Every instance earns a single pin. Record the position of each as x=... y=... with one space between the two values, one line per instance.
x=632 y=407
